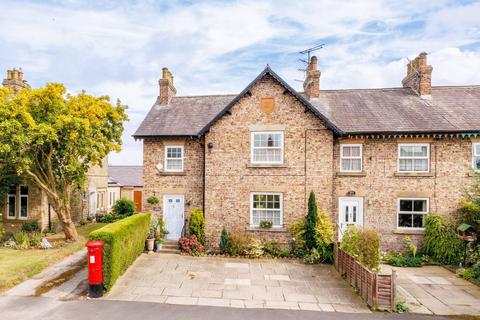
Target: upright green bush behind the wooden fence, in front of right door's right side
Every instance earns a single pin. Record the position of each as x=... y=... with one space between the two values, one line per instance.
x=369 y=249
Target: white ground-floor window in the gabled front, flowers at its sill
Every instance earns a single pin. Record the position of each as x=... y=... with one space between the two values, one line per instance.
x=266 y=206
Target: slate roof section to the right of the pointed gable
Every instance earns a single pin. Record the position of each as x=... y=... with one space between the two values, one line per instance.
x=394 y=110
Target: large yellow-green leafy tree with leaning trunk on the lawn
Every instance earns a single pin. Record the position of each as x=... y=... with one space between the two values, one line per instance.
x=52 y=138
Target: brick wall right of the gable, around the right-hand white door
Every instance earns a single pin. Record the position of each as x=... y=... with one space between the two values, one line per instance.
x=381 y=185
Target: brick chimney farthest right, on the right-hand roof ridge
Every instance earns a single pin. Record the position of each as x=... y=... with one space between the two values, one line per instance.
x=419 y=76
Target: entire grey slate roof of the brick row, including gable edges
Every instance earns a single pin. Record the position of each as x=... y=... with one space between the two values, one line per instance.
x=349 y=111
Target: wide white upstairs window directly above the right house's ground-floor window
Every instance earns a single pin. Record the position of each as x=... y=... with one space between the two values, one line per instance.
x=414 y=157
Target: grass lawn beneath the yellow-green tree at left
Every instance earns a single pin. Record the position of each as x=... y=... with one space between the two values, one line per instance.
x=18 y=265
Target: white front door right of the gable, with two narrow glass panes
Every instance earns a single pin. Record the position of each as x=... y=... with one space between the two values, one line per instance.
x=350 y=212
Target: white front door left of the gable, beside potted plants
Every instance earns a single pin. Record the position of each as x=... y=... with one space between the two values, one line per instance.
x=173 y=216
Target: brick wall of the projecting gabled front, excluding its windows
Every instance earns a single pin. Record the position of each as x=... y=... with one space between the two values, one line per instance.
x=230 y=176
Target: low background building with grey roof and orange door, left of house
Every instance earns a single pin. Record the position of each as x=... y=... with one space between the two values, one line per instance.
x=125 y=182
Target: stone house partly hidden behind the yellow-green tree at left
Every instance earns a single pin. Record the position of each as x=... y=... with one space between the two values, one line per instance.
x=27 y=202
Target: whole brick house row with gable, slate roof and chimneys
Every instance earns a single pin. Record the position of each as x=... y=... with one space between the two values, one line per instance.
x=378 y=158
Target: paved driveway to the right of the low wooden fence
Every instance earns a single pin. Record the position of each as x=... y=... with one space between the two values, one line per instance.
x=433 y=289
